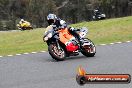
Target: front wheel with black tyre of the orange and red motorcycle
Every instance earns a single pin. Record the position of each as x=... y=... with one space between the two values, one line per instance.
x=57 y=54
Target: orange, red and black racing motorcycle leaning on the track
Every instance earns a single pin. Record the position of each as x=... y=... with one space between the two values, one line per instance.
x=59 y=51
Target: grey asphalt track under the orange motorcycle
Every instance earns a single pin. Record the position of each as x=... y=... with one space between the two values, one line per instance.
x=40 y=71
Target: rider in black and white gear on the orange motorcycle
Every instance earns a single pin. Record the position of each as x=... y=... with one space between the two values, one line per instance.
x=59 y=24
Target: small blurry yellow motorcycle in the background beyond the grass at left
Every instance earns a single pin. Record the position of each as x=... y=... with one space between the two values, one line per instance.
x=24 y=26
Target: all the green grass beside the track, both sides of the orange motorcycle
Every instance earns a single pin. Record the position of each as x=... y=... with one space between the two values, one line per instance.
x=105 y=31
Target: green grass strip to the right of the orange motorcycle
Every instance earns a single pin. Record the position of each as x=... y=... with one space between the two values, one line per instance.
x=108 y=31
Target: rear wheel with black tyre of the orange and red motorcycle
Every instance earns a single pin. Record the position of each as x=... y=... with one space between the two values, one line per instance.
x=88 y=50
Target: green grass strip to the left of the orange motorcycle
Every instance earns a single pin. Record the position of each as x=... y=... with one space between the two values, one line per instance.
x=21 y=41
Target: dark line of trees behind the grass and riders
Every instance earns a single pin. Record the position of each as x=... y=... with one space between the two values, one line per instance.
x=72 y=11
